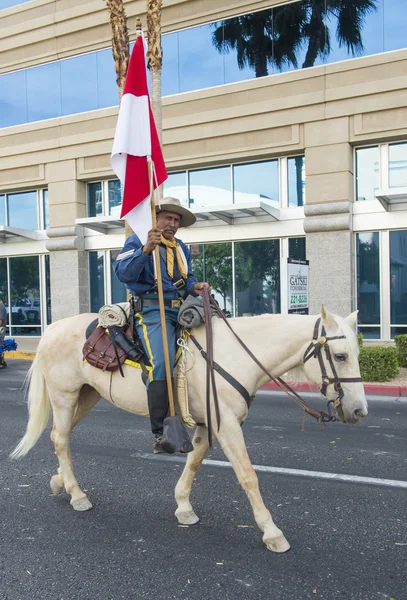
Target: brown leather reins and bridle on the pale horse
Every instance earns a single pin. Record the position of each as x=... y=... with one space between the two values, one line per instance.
x=313 y=350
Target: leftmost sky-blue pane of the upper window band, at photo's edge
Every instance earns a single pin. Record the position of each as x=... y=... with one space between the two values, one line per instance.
x=13 y=98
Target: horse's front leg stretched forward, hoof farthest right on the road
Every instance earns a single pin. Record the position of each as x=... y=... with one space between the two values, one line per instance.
x=231 y=439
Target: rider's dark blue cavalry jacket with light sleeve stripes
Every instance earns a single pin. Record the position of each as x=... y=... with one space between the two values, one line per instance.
x=135 y=269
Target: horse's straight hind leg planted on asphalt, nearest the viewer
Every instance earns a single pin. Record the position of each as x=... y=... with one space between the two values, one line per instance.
x=64 y=406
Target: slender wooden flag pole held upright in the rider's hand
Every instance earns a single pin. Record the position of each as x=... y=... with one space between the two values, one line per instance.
x=157 y=266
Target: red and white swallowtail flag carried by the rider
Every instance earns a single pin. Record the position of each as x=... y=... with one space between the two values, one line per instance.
x=136 y=142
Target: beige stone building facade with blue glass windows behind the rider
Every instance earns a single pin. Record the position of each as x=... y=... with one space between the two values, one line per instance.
x=284 y=130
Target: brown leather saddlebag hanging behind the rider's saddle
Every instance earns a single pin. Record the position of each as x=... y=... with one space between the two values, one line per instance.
x=100 y=352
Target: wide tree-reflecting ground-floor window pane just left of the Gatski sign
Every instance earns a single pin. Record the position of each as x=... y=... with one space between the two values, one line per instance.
x=257 y=272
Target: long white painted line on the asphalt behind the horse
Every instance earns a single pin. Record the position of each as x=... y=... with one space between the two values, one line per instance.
x=395 y=483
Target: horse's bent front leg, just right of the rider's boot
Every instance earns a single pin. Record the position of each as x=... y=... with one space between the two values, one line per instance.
x=185 y=513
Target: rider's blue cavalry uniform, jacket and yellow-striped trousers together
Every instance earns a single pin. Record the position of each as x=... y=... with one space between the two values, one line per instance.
x=135 y=269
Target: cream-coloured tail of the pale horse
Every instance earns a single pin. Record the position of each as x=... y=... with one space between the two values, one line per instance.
x=38 y=408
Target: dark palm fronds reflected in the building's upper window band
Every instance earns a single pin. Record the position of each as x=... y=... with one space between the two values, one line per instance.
x=274 y=36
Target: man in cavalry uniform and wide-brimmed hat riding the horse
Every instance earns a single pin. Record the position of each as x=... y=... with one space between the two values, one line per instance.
x=134 y=267
